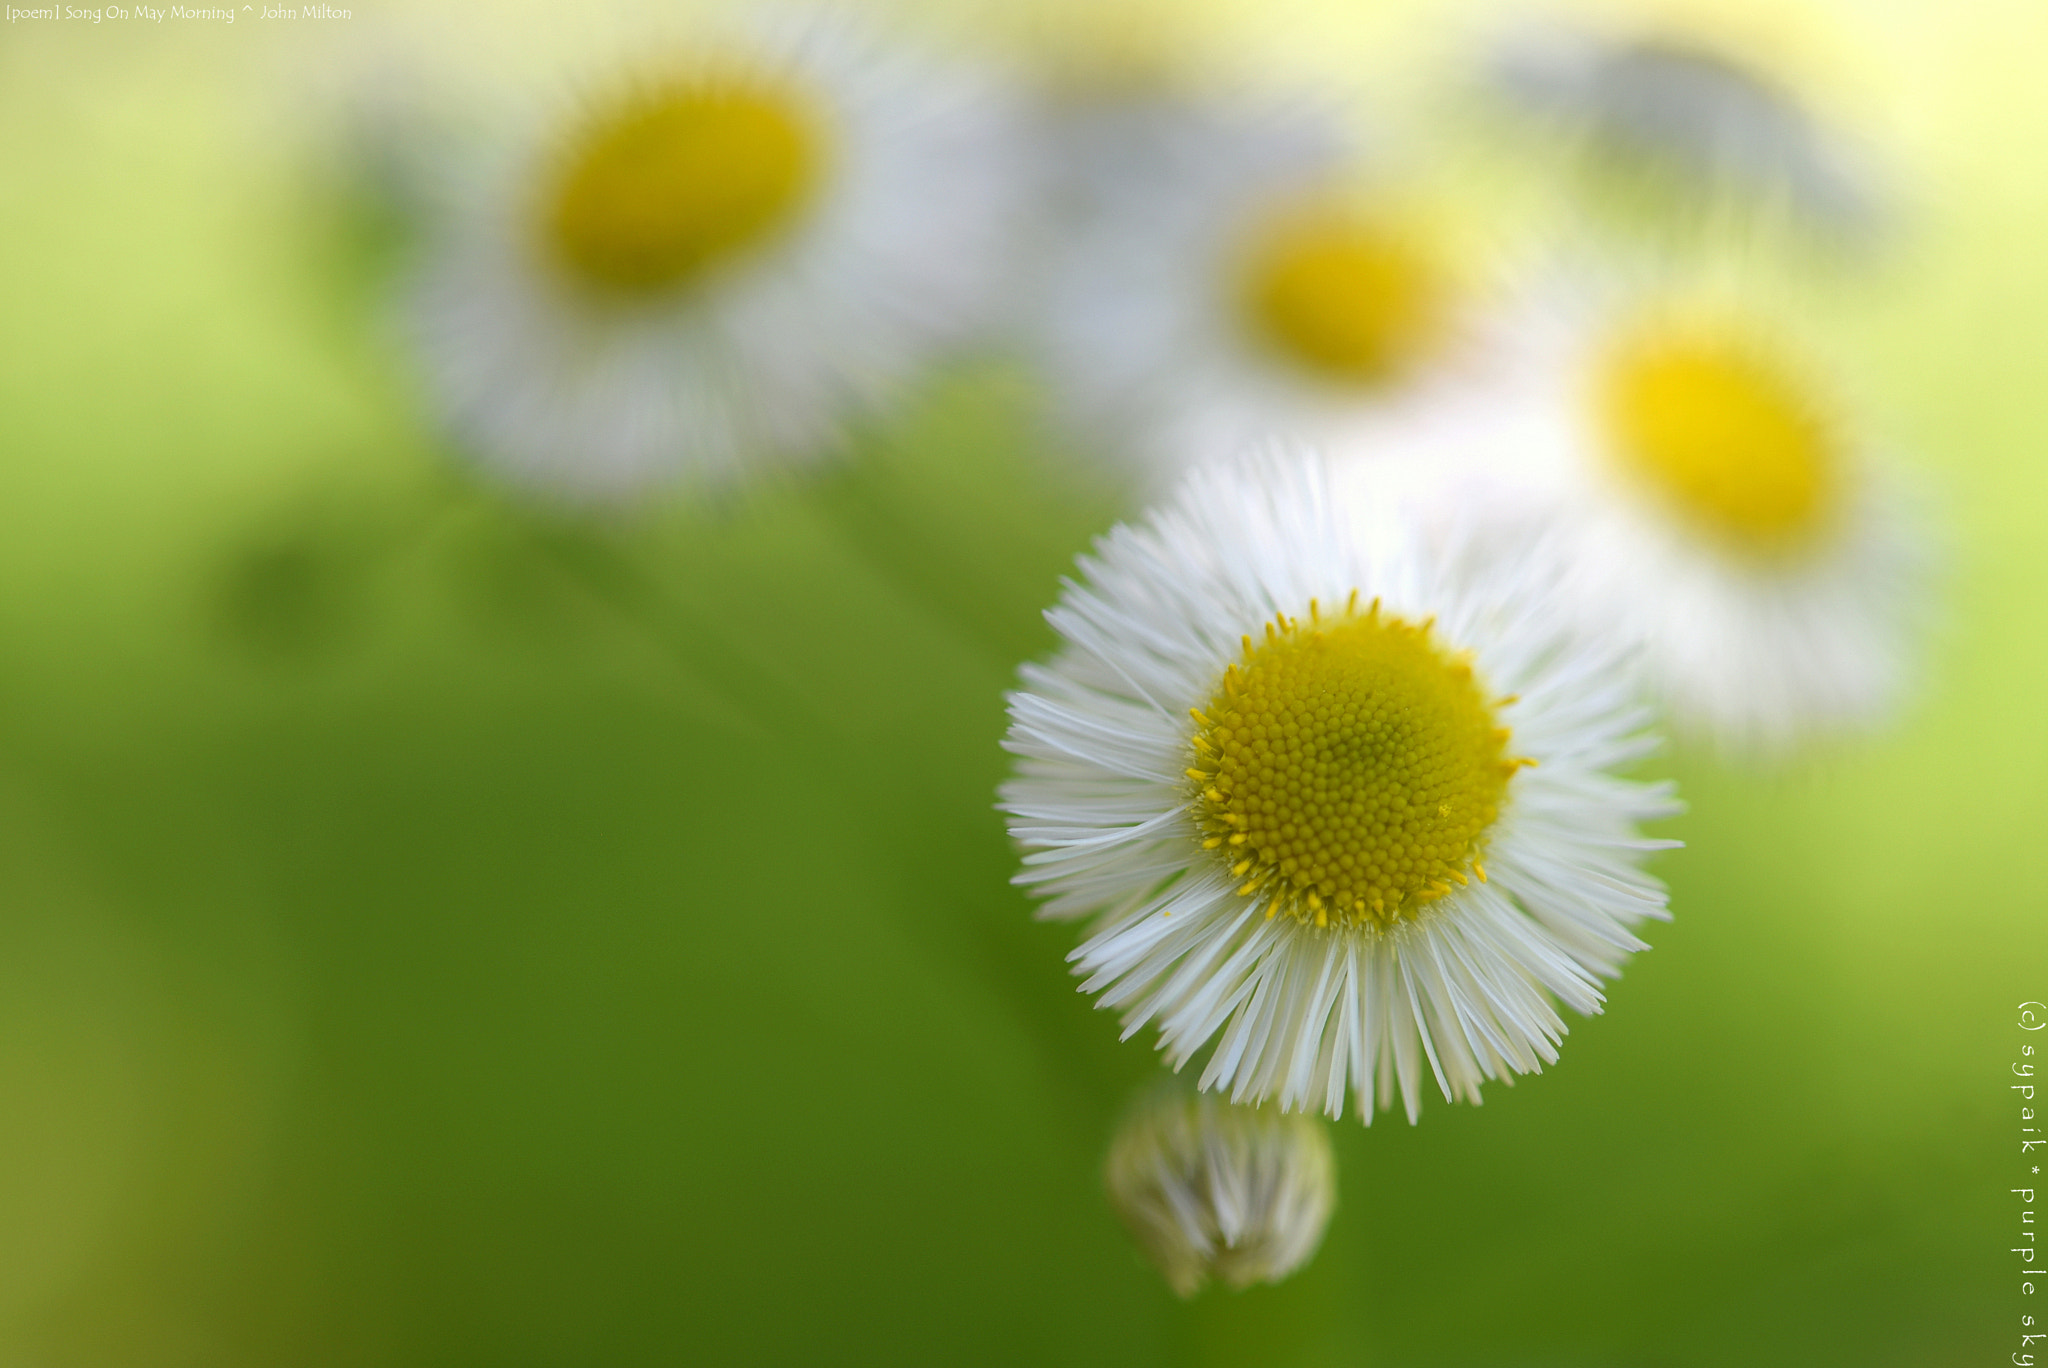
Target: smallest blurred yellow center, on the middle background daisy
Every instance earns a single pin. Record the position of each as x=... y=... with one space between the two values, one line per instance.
x=1347 y=300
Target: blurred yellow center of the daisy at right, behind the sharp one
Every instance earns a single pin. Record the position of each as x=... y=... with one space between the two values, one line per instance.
x=1725 y=437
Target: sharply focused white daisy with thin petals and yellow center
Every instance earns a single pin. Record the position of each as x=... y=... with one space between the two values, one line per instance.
x=1340 y=802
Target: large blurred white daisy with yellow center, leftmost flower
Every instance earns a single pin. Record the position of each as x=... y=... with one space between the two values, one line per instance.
x=716 y=261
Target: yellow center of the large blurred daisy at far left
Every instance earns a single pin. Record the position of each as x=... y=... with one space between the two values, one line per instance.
x=679 y=179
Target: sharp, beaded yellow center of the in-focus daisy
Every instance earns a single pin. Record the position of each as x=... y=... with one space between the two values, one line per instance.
x=1349 y=769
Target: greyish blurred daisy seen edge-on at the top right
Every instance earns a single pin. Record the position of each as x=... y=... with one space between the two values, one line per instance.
x=1693 y=118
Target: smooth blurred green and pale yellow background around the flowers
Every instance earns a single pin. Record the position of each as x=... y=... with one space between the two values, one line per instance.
x=435 y=931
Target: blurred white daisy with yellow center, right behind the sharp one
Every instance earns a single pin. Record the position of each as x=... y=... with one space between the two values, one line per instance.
x=1721 y=515
